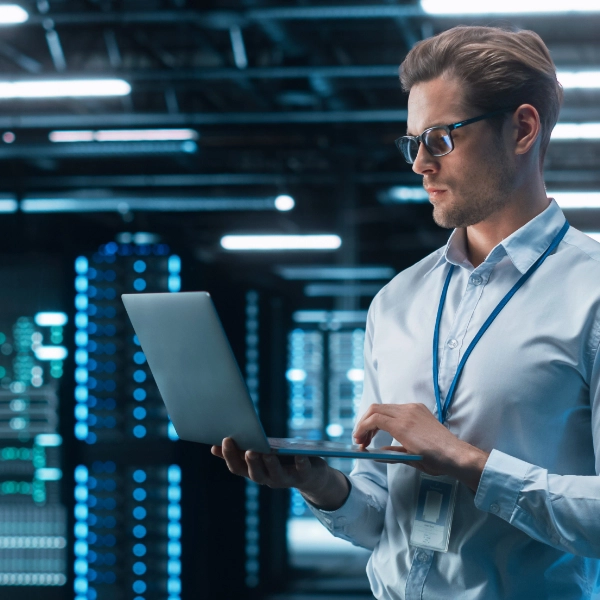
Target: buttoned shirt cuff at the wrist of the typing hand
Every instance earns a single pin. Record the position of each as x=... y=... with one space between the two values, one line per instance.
x=501 y=483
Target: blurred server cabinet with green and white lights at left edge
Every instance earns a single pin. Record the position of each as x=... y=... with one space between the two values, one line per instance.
x=33 y=519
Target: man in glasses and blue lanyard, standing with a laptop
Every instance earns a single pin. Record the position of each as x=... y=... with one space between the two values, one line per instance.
x=501 y=398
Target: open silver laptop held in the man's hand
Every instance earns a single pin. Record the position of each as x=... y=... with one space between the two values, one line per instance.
x=201 y=384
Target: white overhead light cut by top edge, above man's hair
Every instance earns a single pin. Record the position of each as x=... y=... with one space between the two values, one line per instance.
x=476 y=7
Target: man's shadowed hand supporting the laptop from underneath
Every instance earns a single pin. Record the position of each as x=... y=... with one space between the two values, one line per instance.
x=321 y=485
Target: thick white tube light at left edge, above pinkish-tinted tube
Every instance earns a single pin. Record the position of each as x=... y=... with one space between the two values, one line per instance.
x=64 y=88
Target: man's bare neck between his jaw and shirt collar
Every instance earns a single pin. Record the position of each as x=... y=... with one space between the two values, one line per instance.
x=484 y=236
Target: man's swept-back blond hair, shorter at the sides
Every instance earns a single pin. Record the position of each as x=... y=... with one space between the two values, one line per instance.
x=498 y=68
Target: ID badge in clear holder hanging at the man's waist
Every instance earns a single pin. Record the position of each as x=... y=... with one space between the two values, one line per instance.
x=433 y=515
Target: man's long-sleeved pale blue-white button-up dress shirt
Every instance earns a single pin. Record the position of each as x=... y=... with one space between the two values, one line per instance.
x=529 y=394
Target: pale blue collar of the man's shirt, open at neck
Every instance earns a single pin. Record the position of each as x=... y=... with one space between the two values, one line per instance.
x=523 y=247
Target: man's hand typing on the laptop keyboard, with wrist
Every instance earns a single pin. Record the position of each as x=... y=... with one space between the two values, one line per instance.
x=419 y=432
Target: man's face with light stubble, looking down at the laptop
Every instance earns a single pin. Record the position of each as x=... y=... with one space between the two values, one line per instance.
x=472 y=182
